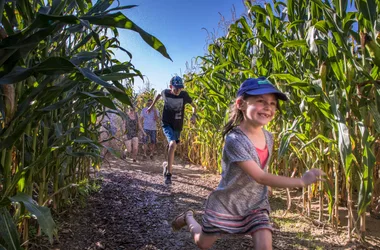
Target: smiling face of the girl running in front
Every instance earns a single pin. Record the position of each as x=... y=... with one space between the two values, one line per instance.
x=259 y=110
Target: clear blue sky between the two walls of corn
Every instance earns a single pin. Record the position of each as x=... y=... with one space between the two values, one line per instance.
x=179 y=25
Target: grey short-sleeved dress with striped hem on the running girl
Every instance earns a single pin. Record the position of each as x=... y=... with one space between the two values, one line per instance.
x=239 y=205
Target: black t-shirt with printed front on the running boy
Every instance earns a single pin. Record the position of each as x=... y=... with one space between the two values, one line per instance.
x=174 y=107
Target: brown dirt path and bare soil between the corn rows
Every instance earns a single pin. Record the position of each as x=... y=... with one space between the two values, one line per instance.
x=133 y=210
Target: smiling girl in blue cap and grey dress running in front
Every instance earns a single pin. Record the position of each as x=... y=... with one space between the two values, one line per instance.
x=239 y=205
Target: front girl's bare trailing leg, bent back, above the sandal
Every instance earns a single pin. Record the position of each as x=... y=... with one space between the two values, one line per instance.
x=202 y=240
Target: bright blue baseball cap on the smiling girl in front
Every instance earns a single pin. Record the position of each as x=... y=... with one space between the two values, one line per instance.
x=260 y=86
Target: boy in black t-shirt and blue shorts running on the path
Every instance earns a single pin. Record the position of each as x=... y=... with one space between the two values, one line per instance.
x=175 y=100
